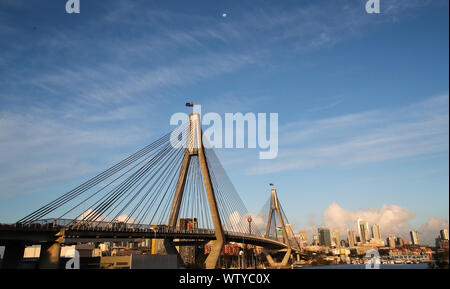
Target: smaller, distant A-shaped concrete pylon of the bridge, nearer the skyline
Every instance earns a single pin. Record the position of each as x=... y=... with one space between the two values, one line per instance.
x=275 y=208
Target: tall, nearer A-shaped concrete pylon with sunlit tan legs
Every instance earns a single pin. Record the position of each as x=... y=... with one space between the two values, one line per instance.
x=194 y=146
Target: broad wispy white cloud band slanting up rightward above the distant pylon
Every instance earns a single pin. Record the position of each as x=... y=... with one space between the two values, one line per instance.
x=373 y=136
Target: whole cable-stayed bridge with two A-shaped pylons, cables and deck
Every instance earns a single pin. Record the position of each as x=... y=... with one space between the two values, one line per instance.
x=174 y=189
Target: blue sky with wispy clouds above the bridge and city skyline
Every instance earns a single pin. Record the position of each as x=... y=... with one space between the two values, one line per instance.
x=362 y=100
